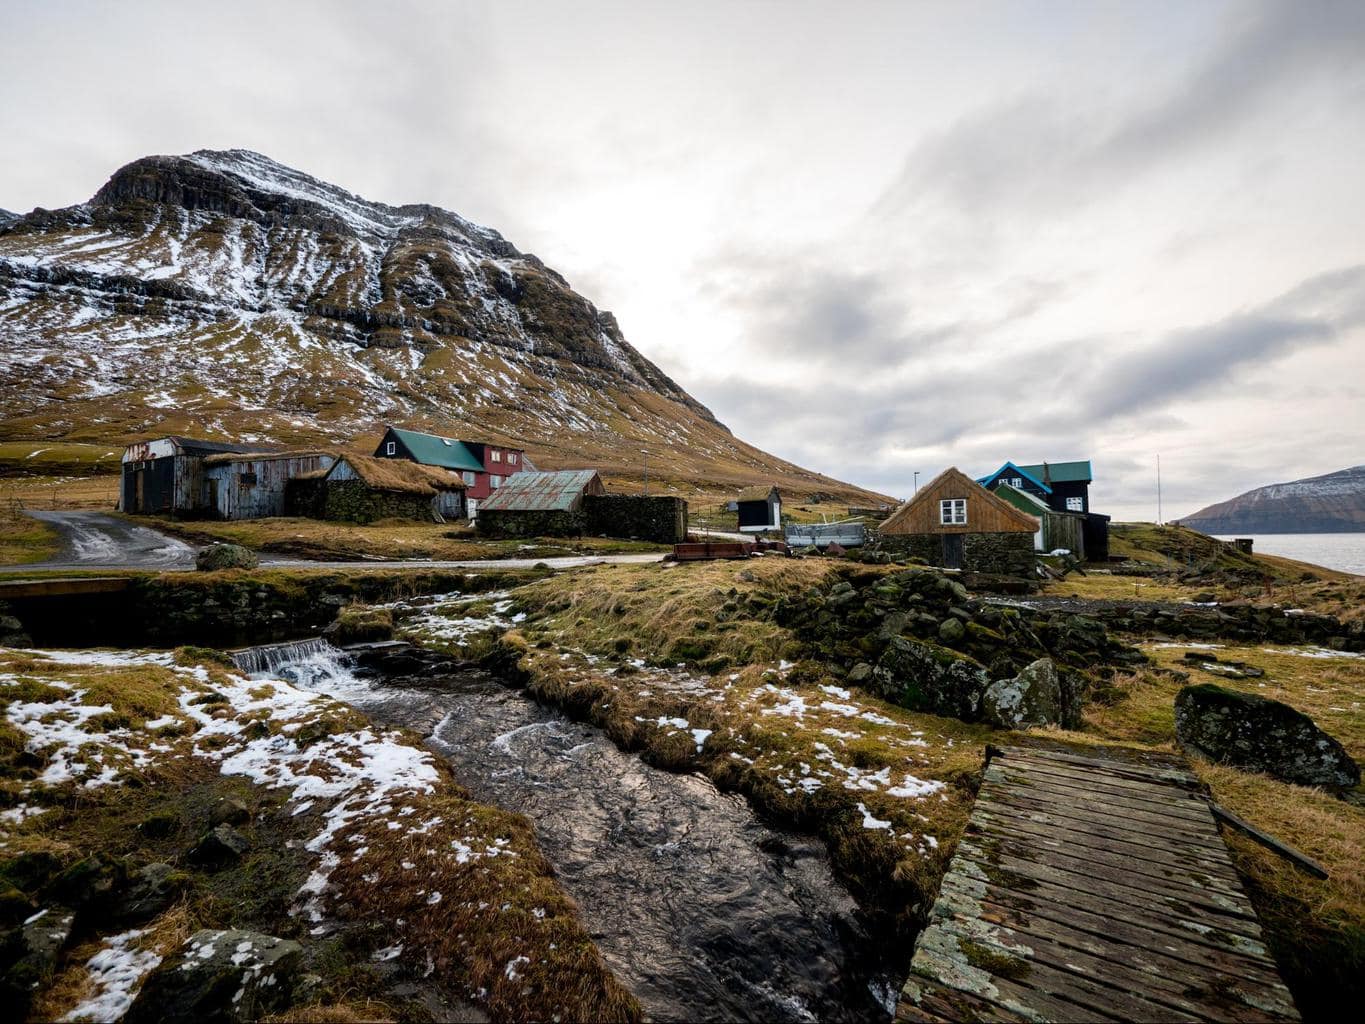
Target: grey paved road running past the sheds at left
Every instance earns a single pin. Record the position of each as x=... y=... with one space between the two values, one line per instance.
x=100 y=541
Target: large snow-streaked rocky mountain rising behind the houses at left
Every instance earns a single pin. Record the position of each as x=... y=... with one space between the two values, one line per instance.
x=226 y=296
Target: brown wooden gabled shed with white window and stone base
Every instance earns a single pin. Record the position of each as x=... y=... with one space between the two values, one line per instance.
x=956 y=524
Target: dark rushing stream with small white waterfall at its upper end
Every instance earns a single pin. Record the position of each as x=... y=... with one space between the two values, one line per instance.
x=701 y=910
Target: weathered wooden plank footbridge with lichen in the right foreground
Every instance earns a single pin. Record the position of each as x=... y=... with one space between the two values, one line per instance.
x=1093 y=890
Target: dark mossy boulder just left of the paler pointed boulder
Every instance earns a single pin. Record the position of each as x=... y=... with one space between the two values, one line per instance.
x=929 y=678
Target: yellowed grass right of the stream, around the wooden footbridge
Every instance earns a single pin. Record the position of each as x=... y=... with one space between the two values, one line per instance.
x=655 y=656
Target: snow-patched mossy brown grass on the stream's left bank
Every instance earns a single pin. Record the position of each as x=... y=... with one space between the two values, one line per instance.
x=140 y=750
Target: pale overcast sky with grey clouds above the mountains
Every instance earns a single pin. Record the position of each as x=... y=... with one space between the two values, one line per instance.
x=874 y=238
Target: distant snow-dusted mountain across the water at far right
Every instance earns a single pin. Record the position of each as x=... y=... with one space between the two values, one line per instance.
x=1329 y=504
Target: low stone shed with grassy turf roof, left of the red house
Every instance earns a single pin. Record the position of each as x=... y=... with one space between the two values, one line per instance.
x=362 y=489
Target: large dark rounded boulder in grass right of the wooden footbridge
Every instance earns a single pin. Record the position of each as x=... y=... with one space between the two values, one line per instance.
x=1261 y=735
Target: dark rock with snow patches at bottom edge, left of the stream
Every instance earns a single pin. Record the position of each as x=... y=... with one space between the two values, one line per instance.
x=220 y=977
